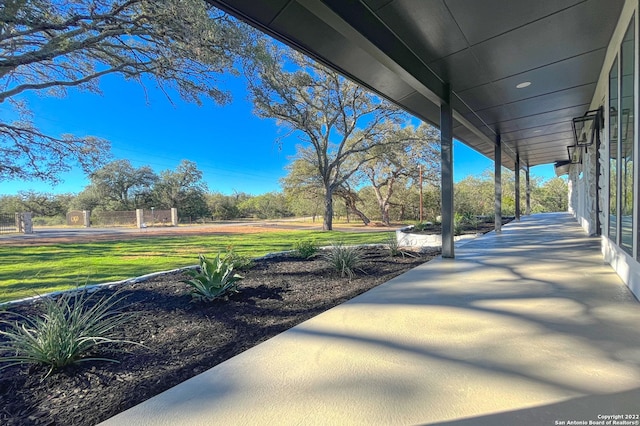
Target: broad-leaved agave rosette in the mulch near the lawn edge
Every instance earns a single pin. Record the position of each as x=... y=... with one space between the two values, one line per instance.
x=214 y=279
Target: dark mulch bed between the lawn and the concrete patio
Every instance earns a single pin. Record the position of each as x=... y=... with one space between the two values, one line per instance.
x=185 y=338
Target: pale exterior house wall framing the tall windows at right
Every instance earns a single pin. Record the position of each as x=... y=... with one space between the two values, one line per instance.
x=583 y=179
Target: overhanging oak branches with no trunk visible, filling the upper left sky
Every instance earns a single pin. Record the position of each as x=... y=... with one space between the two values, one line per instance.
x=48 y=46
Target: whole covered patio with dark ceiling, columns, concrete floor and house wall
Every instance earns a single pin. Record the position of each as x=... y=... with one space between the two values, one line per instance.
x=524 y=326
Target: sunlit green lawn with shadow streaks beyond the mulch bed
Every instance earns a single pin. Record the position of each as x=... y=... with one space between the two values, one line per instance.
x=28 y=271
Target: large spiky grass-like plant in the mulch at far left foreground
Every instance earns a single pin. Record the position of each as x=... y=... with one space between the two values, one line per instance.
x=67 y=333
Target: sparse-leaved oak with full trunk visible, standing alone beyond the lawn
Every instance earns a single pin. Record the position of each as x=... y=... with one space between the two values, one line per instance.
x=335 y=118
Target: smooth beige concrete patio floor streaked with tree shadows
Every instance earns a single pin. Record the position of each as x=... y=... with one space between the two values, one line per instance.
x=528 y=327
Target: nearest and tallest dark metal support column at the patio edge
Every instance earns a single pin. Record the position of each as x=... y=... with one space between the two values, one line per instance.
x=446 y=151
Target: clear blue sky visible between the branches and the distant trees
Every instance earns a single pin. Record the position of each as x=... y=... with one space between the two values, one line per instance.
x=235 y=150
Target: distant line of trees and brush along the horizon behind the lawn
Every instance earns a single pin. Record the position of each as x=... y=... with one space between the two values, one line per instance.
x=393 y=199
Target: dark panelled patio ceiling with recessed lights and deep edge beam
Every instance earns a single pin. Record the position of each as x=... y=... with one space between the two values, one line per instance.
x=410 y=50
